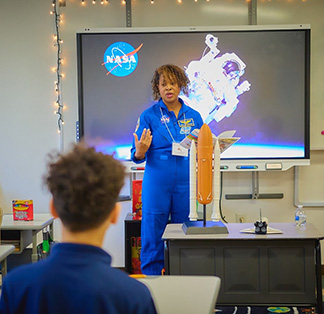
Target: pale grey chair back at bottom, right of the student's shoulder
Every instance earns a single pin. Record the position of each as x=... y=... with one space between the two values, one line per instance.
x=183 y=294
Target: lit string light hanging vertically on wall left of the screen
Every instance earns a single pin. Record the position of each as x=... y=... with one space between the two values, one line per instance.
x=58 y=83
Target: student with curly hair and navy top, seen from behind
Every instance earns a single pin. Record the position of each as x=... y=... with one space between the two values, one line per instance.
x=77 y=276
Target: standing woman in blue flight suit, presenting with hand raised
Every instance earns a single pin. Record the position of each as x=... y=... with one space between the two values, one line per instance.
x=165 y=191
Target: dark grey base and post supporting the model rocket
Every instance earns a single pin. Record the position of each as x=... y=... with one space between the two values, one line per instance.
x=204 y=227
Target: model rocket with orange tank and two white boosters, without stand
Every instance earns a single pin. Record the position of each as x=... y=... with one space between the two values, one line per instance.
x=204 y=174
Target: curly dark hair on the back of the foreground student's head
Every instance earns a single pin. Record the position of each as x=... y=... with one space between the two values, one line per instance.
x=85 y=185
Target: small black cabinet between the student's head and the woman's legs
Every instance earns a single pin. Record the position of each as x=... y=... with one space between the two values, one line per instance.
x=132 y=229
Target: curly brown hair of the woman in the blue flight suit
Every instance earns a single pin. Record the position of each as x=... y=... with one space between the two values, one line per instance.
x=173 y=73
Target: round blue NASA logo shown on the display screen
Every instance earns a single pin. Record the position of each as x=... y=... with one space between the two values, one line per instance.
x=120 y=58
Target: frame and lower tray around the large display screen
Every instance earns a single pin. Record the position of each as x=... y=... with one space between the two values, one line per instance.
x=231 y=164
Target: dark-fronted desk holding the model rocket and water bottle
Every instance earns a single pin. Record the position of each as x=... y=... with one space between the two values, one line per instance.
x=271 y=269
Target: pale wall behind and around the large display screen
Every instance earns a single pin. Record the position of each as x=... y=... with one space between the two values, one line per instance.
x=29 y=128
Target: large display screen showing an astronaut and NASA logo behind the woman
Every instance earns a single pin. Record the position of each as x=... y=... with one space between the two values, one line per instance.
x=252 y=80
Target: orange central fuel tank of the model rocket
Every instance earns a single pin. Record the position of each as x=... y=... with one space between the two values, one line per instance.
x=205 y=165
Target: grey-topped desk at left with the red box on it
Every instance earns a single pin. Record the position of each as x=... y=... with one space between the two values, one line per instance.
x=23 y=233
